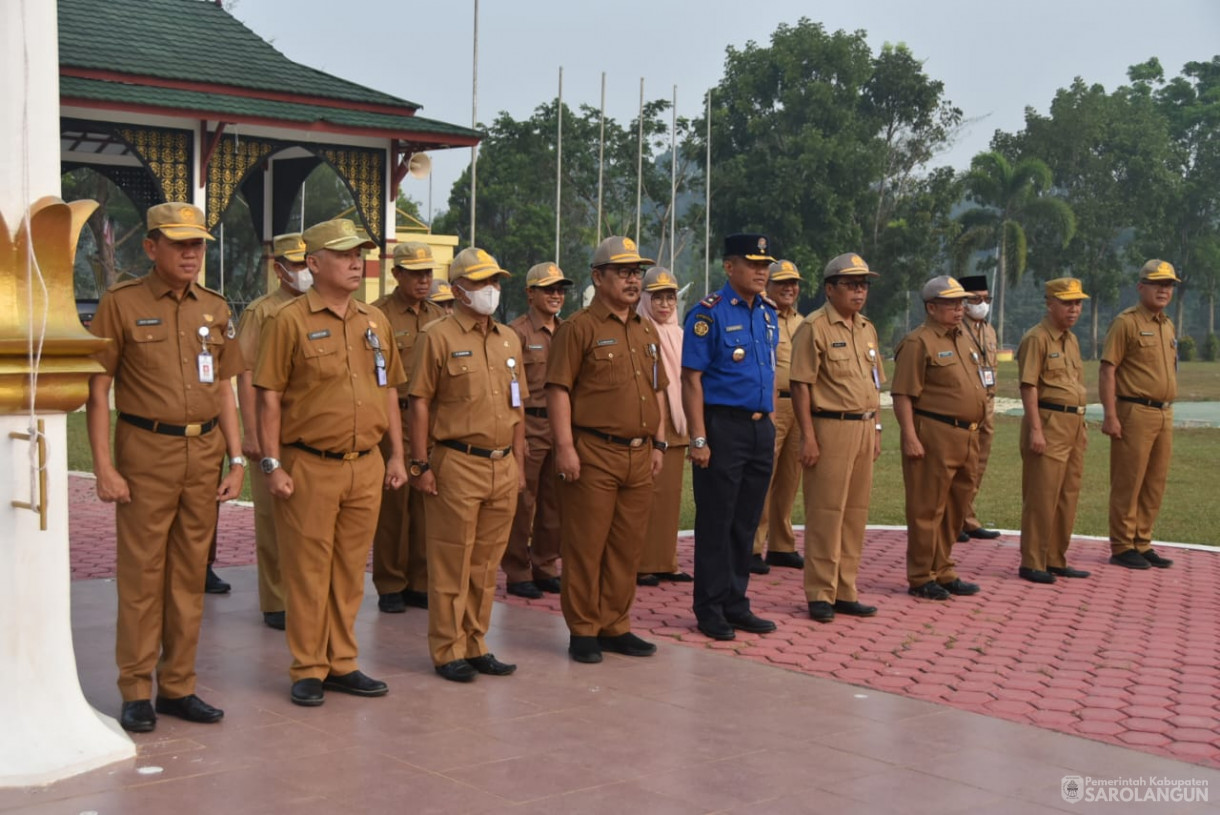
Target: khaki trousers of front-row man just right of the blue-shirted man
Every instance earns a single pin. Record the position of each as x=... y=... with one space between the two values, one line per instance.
x=838 y=492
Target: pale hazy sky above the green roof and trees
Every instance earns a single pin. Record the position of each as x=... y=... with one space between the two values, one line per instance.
x=995 y=59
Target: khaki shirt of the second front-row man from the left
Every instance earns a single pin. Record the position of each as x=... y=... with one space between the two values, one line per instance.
x=325 y=368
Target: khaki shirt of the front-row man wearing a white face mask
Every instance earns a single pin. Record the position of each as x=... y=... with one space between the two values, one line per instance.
x=468 y=380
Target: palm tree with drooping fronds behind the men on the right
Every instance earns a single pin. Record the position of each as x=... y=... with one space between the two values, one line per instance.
x=1010 y=197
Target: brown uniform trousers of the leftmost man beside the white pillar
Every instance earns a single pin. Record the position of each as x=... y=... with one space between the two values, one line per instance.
x=163 y=540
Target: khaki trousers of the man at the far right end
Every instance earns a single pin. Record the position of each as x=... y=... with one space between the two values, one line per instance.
x=1139 y=469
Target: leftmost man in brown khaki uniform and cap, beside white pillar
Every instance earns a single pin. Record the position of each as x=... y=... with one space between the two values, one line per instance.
x=171 y=362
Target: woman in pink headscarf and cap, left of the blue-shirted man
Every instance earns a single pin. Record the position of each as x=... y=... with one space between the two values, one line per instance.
x=659 y=557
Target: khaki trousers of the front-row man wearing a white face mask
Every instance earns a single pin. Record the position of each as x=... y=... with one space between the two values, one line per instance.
x=468 y=529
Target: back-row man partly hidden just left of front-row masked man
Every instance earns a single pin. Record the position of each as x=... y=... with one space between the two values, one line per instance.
x=401 y=557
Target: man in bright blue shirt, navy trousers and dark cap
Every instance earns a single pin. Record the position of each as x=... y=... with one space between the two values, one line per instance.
x=729 y=396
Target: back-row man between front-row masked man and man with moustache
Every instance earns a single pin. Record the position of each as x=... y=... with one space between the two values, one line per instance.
x=531 y=563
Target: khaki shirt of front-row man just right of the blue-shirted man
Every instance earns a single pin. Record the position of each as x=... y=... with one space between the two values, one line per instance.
x=840 y=359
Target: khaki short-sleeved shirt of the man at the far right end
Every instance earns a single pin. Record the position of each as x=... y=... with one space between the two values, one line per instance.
x=1144 y=351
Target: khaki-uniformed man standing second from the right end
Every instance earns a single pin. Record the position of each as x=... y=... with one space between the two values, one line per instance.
x=1053 y=437
